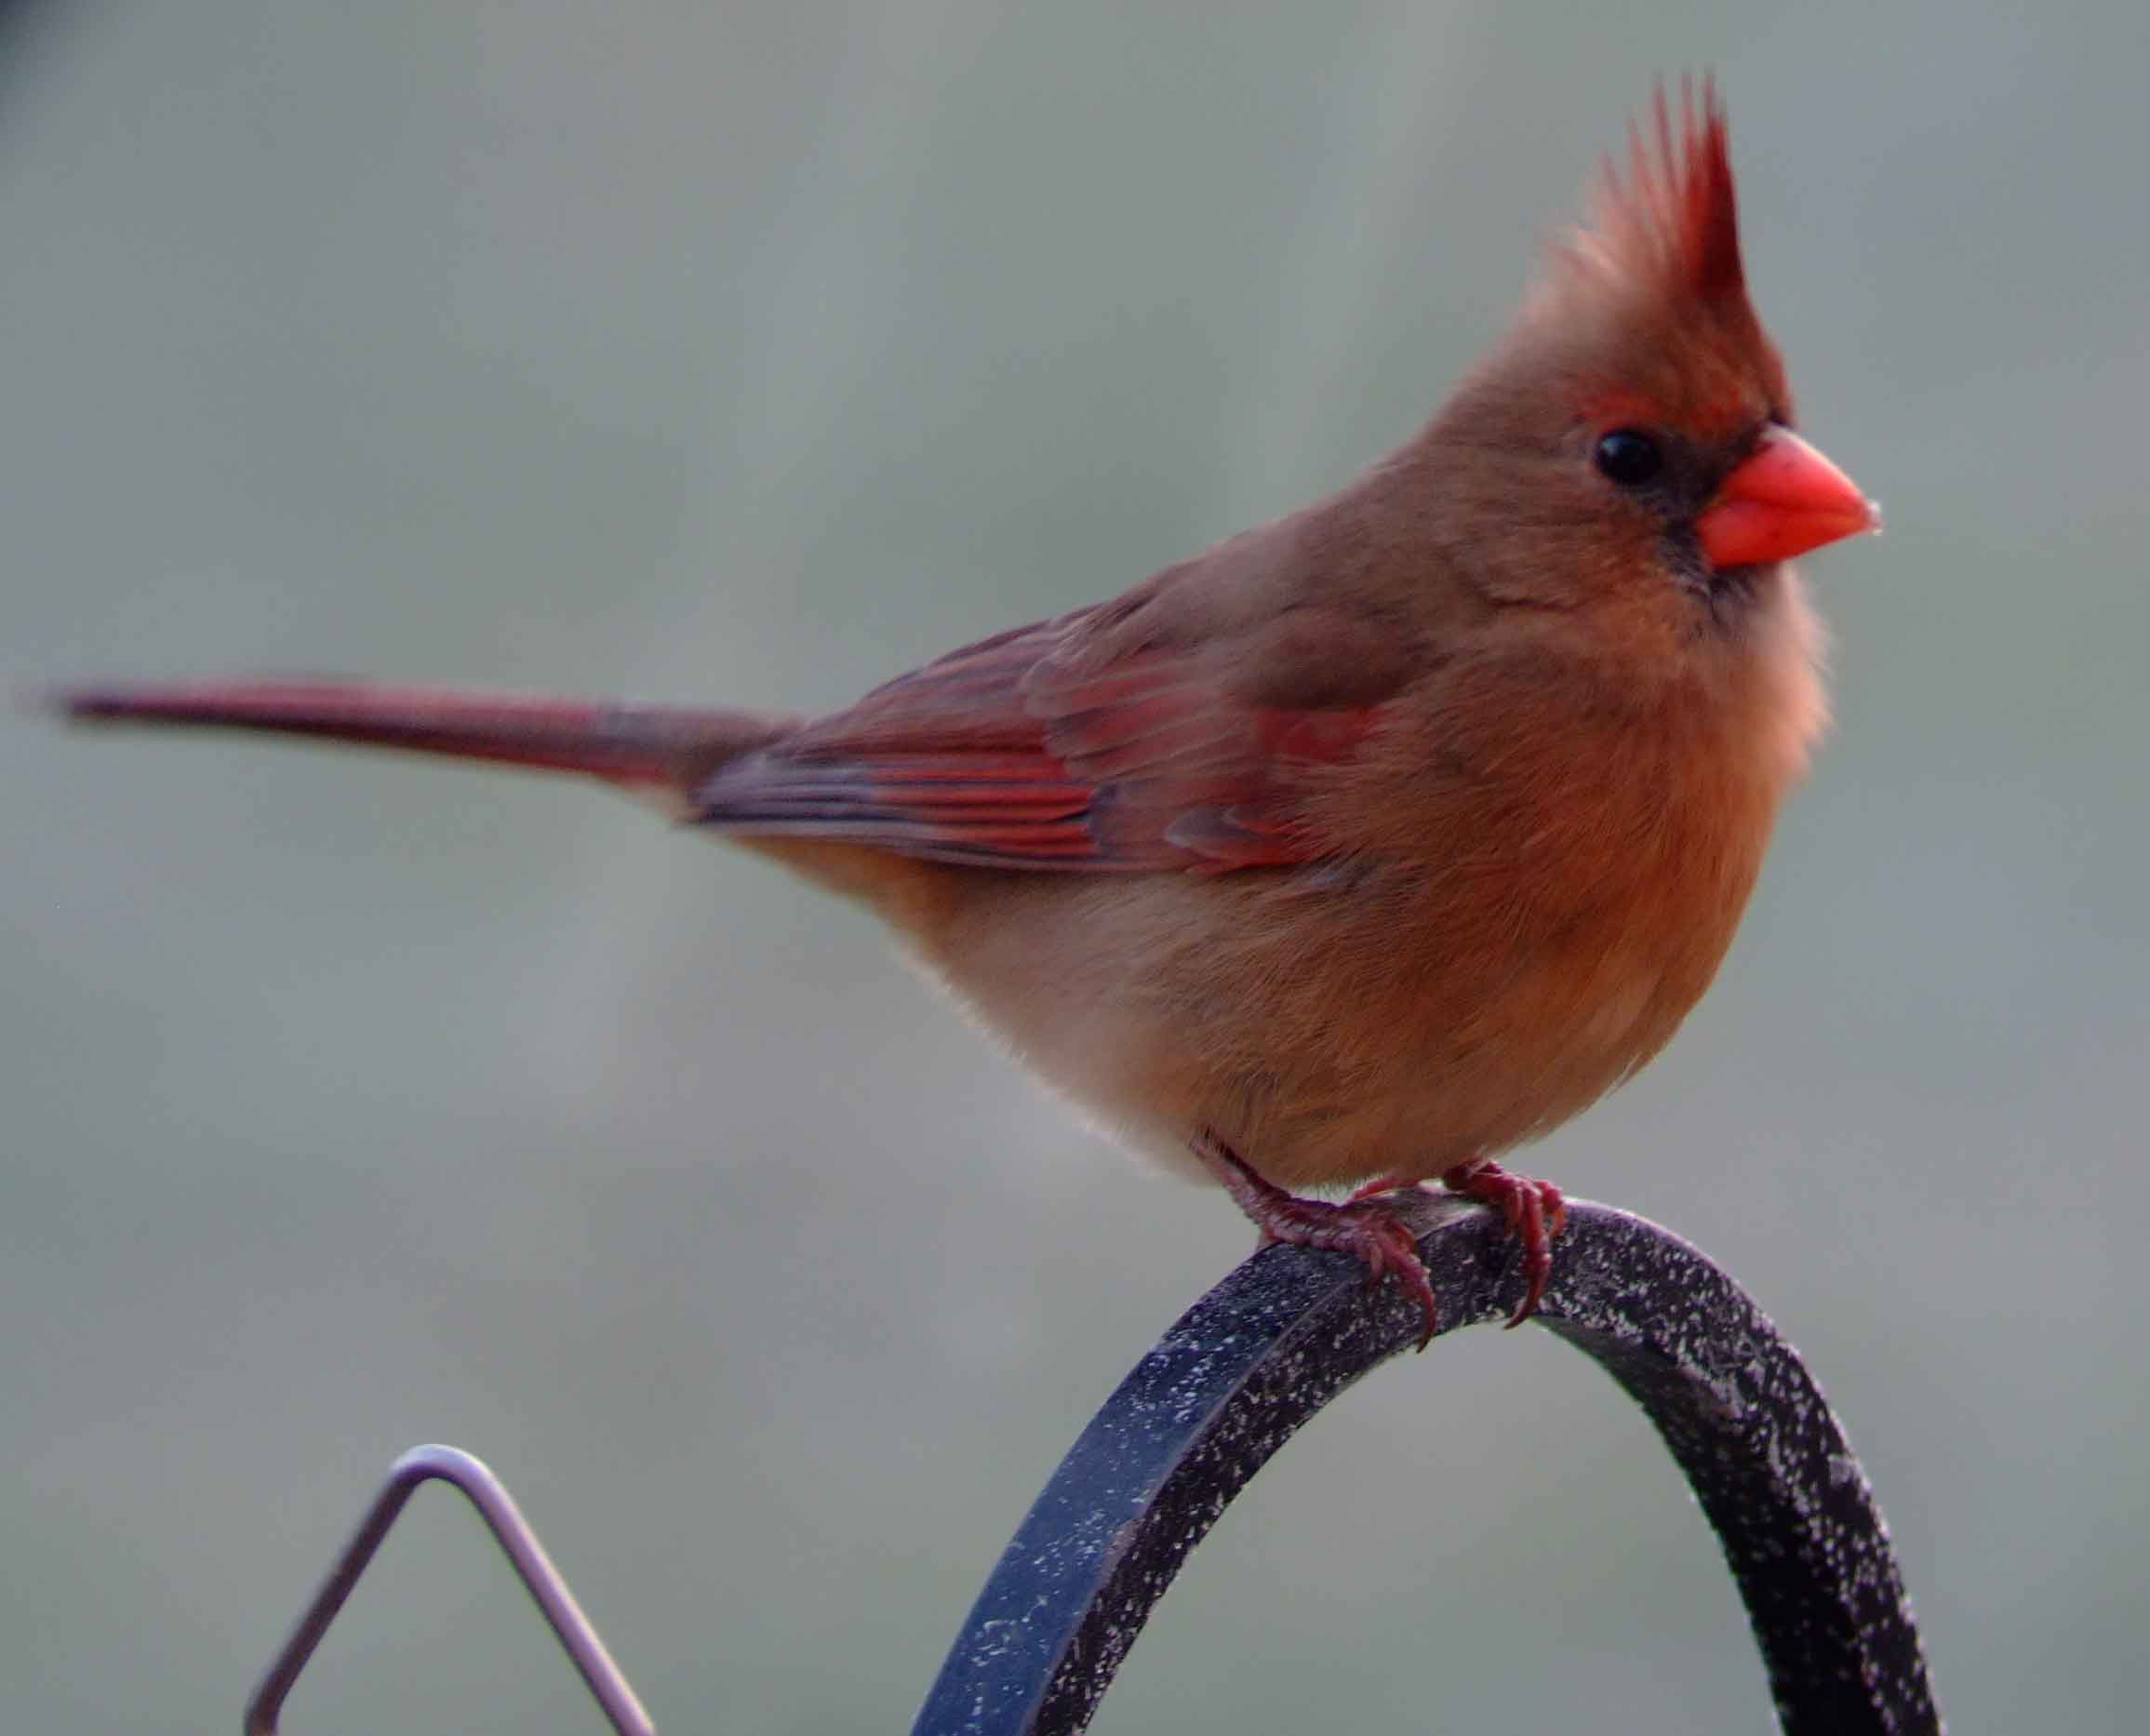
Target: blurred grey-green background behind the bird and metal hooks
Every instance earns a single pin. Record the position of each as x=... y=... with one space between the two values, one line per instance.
x=756 y=352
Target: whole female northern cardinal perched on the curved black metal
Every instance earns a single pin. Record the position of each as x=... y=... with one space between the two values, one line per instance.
x=1371 y=842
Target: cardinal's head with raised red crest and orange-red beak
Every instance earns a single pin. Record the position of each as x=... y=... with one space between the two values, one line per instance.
x=1629 y=451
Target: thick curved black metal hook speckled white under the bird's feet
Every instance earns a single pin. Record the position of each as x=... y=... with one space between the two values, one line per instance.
x=1291 y=1328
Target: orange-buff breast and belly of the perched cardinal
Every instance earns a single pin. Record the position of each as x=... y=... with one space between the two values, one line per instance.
x=1528 y=941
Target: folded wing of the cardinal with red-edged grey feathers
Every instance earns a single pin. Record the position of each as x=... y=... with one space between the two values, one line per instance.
x=1016 y=754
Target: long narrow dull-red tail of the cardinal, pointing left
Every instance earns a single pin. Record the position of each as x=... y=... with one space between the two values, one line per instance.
x=661 y=748
